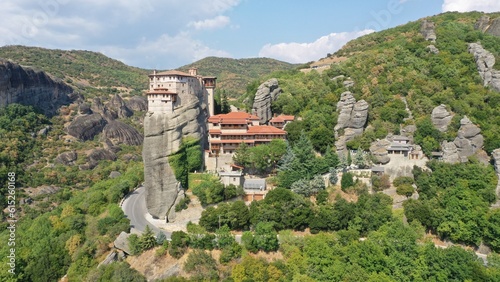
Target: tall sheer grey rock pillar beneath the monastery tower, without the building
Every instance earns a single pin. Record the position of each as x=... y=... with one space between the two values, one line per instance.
x=163 y=134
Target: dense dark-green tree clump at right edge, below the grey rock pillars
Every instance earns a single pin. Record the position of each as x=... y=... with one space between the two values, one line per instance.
x=454 y=202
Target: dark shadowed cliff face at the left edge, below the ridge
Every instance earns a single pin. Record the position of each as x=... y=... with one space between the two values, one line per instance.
x=29 y=87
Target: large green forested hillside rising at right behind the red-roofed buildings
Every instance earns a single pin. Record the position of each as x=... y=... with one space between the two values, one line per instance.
x=394 y=65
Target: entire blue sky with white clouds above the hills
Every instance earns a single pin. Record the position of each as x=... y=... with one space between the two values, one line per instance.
x=167 y=34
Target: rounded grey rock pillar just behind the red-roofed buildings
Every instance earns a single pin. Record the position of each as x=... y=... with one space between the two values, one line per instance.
x=267 y=93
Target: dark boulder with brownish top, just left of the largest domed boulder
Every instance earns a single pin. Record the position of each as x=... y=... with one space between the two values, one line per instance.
x=86 y=127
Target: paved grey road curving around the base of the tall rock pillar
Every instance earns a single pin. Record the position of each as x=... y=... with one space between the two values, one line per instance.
x=134 y=207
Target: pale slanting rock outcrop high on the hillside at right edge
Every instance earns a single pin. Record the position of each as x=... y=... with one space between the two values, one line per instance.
x=485 y=62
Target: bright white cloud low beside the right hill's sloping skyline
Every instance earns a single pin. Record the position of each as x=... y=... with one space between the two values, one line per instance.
x=305 y=52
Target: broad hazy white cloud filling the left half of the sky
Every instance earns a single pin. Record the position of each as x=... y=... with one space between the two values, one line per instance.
x=136 y=31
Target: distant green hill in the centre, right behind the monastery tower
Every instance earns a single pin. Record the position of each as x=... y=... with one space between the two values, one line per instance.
x=233 y=75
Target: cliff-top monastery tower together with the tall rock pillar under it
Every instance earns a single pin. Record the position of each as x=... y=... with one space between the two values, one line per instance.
x=179 y=105
